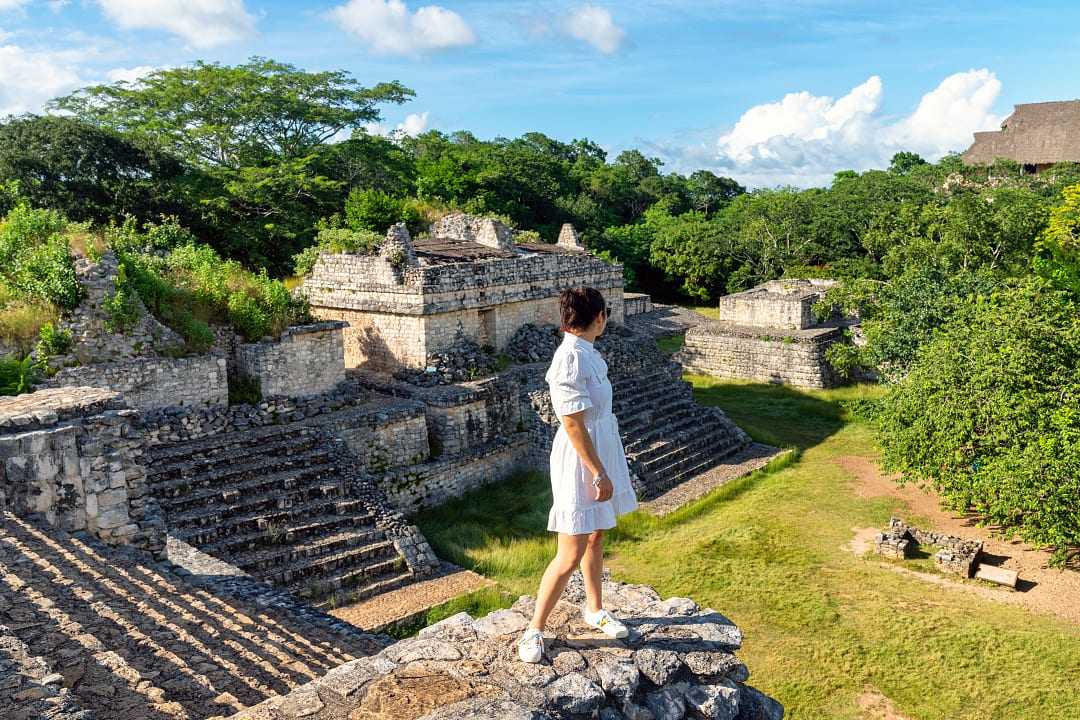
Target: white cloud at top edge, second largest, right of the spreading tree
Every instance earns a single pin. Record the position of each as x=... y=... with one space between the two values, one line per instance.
x=389 y=29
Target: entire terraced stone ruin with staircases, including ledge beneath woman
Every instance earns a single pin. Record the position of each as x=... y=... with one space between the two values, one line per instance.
x=173 y=549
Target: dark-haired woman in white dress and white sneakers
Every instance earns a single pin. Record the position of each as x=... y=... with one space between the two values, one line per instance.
x=589 y=476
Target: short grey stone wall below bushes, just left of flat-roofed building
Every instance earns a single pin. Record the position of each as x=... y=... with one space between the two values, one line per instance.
x=306 y=360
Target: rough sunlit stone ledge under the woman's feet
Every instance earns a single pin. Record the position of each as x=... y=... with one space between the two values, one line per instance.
x=679 y=662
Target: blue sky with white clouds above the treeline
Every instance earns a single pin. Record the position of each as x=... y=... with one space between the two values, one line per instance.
x=767 y=92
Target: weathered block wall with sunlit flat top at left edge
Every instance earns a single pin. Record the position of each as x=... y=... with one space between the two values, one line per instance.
x=76 y=457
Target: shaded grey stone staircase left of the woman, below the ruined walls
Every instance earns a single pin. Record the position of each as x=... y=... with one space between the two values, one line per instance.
x=279 y=504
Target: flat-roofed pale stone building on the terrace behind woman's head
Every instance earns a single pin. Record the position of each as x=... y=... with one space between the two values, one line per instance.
x=416 y=297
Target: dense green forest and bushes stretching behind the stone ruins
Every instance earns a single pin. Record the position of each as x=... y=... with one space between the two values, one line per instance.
x=213 y=183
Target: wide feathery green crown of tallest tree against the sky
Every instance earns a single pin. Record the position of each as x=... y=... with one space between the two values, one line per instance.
x=222 y=116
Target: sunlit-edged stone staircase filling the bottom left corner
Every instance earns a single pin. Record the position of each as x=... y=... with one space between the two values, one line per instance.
x=90 y=631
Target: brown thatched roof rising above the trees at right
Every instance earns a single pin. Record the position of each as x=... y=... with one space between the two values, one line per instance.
x=1035 y=134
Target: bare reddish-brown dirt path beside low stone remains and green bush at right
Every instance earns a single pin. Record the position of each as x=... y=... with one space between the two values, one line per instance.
x=1045 y=589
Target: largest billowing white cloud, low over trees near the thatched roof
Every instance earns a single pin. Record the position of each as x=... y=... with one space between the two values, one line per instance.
x=804 y=139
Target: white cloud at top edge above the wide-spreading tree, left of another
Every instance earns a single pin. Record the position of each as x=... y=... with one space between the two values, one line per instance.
x=201 y=23
